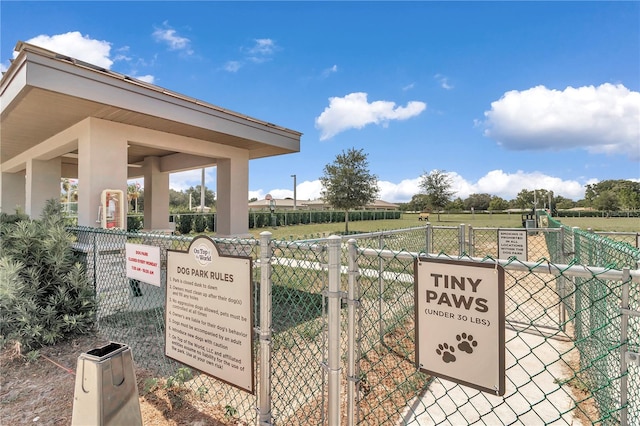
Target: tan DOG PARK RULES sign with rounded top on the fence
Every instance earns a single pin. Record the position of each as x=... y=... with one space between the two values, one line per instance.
x=209 y=320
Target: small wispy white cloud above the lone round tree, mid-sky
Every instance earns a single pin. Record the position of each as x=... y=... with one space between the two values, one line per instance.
x=354 y=112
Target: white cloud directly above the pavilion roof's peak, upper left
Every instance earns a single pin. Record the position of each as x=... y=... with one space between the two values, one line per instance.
x=77 y=46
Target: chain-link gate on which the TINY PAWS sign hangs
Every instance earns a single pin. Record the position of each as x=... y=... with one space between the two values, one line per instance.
x=583 y=372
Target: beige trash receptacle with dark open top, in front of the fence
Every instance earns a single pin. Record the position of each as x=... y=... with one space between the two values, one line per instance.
x=106 y=392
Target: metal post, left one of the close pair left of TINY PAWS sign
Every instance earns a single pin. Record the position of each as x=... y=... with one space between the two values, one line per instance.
x=333 y=335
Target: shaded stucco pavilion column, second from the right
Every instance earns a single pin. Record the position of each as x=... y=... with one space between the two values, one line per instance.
x=156 y=195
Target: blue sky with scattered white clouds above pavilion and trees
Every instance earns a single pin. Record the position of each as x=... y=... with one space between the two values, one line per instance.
x=504 y=96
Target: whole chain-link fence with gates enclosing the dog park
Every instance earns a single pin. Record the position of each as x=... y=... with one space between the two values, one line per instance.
x=337 y=341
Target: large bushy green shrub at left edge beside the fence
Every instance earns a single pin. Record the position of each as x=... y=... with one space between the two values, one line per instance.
x=44 y=292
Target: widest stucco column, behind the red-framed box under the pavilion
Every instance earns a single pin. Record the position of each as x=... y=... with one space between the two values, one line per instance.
x=102 y=164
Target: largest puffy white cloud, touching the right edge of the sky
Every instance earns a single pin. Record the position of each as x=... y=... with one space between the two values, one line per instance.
x=603 y=119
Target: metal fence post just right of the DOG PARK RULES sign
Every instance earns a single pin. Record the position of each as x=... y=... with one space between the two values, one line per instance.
x=264 y=402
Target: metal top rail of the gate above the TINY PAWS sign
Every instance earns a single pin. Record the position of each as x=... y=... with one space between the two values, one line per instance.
x=516 y=265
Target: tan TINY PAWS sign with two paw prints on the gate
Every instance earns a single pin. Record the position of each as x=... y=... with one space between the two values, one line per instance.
x=460 y=322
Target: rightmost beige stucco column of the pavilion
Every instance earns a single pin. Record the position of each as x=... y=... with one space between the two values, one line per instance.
x=232 y=202
